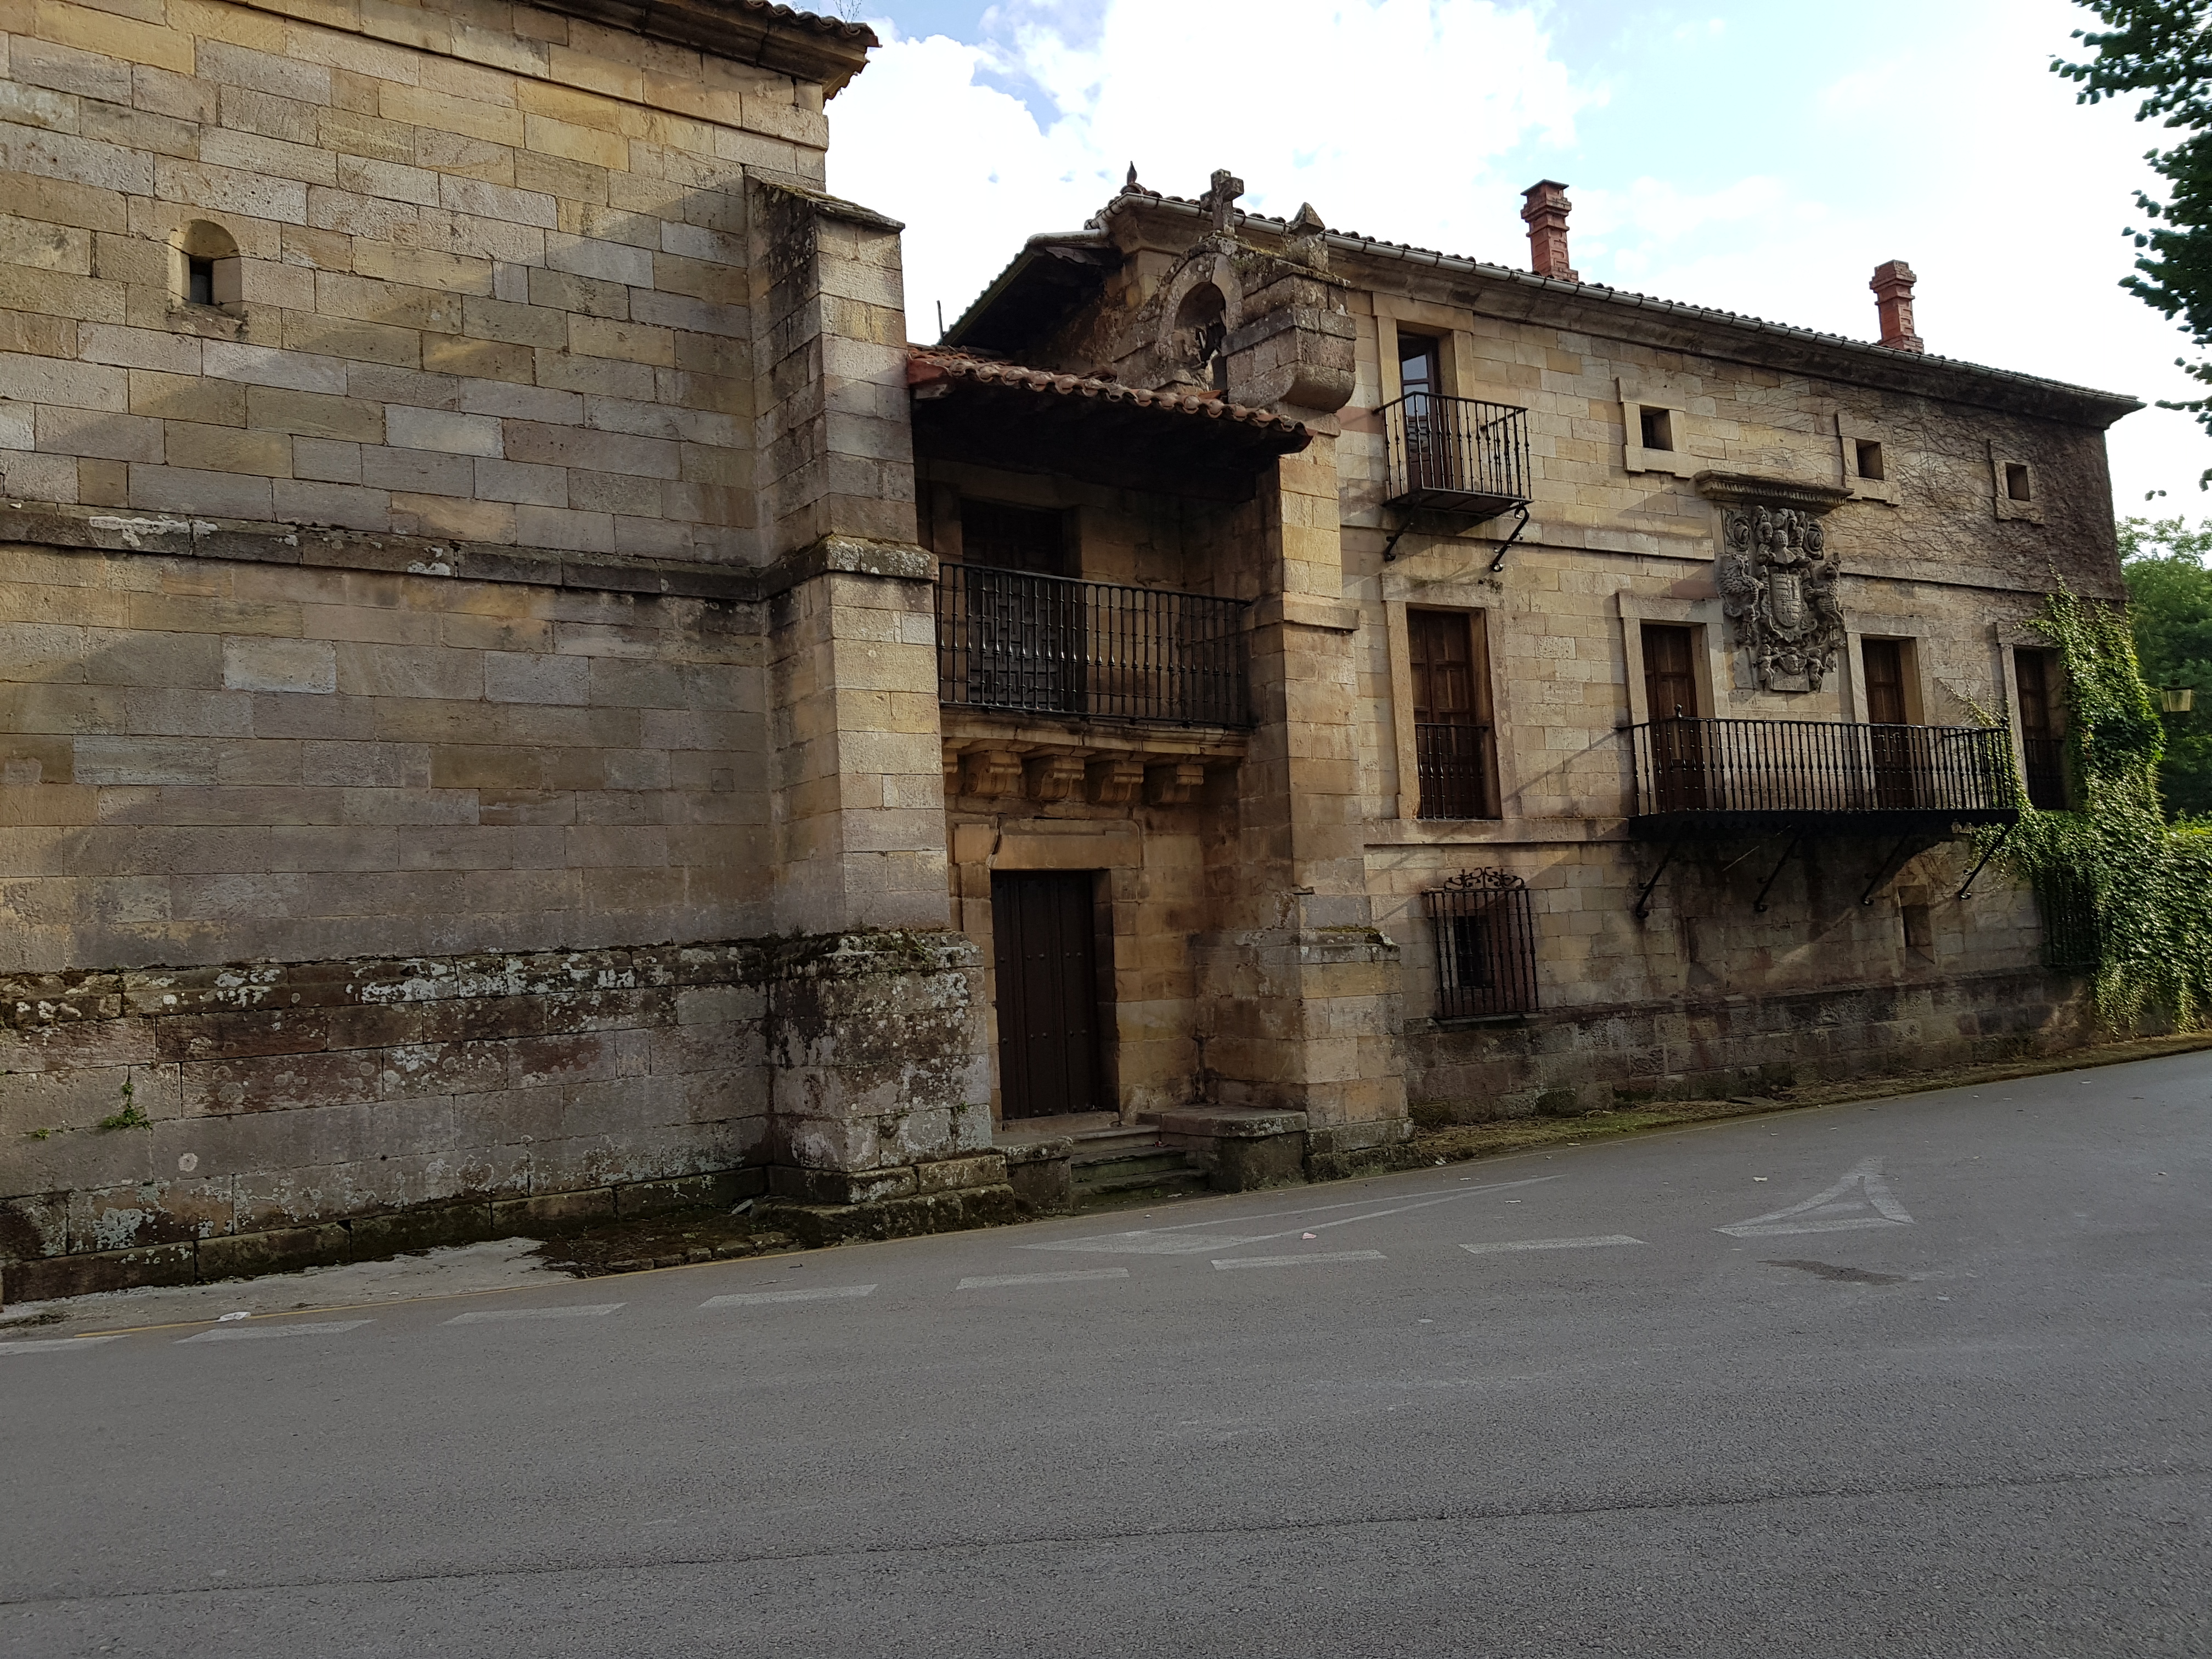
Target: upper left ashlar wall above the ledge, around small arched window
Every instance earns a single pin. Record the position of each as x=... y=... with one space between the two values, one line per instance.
x=488 y=282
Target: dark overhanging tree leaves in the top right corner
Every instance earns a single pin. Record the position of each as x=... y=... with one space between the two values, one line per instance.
x=2162 y=52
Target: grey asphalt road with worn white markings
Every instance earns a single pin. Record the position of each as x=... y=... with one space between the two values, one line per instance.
x=1910 y=1379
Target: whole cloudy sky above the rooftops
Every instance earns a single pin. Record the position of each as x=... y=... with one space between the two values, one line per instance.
x=1760 y=156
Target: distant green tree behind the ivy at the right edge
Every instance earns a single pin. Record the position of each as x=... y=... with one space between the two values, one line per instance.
x=2171 y=614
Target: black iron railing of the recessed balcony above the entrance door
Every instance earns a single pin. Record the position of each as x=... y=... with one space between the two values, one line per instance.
x=1058 y=647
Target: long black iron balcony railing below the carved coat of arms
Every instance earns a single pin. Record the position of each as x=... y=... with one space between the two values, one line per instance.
x=1797 y=773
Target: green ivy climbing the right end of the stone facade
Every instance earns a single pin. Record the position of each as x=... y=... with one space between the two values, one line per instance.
x=2140 y=888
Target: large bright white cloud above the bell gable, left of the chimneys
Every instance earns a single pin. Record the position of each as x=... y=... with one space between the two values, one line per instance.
x=1384 y=114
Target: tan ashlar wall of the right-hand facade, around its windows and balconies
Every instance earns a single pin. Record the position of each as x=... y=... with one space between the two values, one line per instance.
x=1934 y=554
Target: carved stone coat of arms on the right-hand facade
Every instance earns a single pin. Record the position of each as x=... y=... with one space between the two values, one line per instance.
x=1780 y=589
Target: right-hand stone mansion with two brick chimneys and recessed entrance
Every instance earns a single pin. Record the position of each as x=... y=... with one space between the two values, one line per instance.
x=1627 y=680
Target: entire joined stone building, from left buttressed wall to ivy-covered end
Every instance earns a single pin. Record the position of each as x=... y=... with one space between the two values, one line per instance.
x=528 y=700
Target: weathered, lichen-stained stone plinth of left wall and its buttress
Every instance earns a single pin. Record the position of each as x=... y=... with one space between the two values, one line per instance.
x=174 y=1125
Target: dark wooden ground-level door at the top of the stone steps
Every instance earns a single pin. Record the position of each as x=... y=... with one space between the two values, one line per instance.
x=1045 y=950
